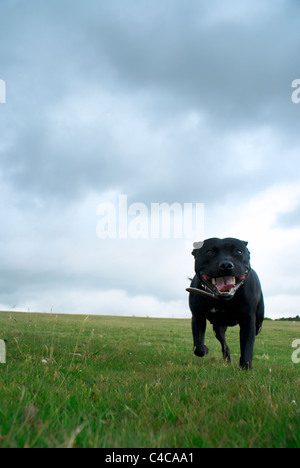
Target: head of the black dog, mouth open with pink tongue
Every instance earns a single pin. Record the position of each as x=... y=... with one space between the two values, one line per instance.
x=222 y=264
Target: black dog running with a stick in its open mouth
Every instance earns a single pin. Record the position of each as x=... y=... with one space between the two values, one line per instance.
x=227 y=292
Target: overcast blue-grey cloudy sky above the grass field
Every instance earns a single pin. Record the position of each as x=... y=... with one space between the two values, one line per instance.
x=164 y=101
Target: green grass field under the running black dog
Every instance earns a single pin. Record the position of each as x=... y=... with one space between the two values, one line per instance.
x=98 y=381
